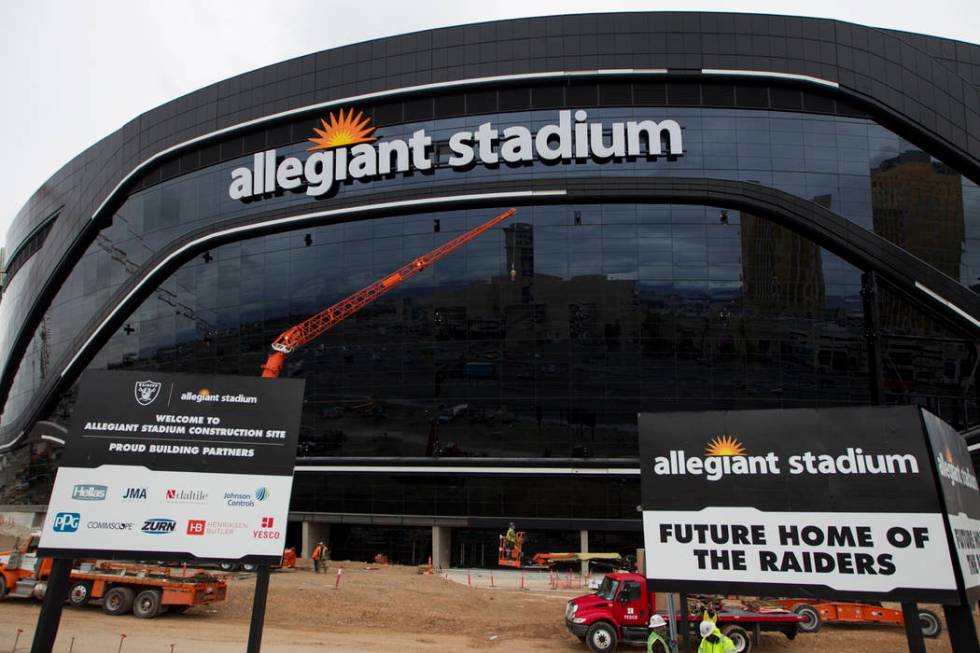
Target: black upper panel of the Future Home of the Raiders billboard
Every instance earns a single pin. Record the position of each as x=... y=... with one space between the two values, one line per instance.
x=863 y=459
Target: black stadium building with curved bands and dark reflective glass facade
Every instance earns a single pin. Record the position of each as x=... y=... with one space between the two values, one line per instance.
x=812 y=245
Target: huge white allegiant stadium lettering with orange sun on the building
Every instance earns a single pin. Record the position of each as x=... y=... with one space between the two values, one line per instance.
x=344 y=149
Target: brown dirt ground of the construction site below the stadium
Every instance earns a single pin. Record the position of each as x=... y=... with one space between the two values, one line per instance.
x=387 y=609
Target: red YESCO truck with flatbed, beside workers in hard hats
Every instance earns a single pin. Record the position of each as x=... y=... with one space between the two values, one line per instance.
x=622 y=608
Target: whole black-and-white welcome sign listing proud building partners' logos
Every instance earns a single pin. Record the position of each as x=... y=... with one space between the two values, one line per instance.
x=176 y=467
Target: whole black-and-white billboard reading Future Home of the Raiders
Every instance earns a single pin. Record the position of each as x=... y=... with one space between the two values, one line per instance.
x=835 y=503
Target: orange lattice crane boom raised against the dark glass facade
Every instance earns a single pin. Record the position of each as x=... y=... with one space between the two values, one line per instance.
x=326 y=319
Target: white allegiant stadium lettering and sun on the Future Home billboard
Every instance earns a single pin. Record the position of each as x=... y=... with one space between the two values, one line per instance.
x=725 y=456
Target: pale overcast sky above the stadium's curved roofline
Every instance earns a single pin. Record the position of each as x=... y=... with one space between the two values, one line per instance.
x=76 y=71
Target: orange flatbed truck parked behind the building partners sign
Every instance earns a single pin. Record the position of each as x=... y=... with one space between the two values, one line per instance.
x=145 y=590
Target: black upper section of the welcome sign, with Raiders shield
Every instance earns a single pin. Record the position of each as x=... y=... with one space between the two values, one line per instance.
x=185 y=422
